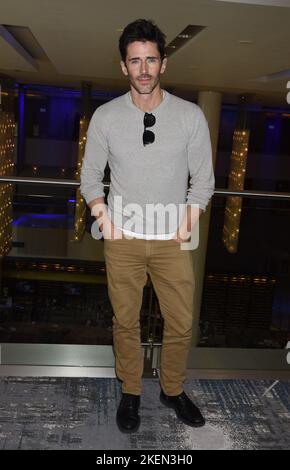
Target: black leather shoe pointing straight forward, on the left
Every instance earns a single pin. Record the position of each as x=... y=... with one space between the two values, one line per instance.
x=128 y=419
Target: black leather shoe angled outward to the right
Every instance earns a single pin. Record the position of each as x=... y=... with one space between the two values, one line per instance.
x=185 y=410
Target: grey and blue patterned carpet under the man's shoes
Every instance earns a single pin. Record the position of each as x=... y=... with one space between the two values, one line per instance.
x=79 y=413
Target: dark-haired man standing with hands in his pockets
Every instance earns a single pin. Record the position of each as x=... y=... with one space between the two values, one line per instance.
x=152 y=142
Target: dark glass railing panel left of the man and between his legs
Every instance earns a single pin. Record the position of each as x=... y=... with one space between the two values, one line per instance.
x=54 y=289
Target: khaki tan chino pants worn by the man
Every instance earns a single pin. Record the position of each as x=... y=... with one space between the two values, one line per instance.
x=171 y=270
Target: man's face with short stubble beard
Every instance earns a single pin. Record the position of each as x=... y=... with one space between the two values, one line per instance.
x=143 y=66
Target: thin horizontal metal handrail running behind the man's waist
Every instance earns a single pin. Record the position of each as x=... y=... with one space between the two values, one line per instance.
x=75 y=183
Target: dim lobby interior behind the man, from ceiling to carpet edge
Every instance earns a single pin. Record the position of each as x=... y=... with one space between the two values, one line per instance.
x=59 y=61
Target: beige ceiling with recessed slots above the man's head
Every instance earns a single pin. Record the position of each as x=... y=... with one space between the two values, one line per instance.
x=80 y=42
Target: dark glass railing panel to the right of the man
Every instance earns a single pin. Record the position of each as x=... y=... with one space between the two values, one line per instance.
x=246 y=294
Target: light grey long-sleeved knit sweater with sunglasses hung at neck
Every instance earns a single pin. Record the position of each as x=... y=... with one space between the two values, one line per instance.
x=155 y=174
